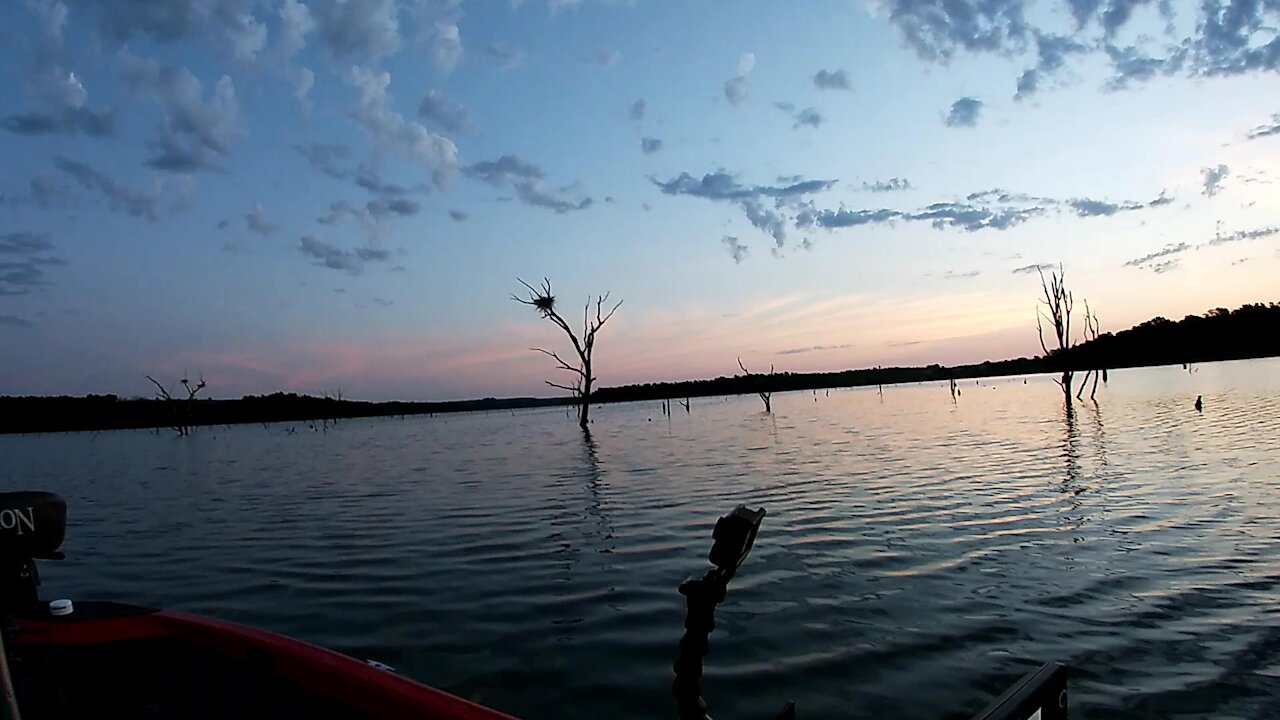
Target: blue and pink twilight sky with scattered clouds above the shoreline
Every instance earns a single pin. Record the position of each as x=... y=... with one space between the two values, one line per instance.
x=322 y=195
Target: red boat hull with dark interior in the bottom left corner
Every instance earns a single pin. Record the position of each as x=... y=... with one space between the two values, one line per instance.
x=232 y=659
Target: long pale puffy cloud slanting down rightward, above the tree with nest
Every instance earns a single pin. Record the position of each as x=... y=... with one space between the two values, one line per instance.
x=391 y=130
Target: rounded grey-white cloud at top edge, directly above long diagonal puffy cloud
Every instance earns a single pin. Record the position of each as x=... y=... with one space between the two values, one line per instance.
x=360 y=30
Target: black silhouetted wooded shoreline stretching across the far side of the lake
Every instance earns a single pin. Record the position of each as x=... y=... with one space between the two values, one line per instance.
x=1251 y=331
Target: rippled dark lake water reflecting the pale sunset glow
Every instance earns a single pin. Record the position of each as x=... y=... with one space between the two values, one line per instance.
x=918 y=555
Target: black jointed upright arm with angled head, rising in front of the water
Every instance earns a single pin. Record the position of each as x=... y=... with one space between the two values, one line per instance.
x=734 y=537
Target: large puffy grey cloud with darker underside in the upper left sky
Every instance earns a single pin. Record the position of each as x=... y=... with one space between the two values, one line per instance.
x=195 y=134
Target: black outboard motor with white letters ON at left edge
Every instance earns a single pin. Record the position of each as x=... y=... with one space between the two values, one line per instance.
x=33 y=527
